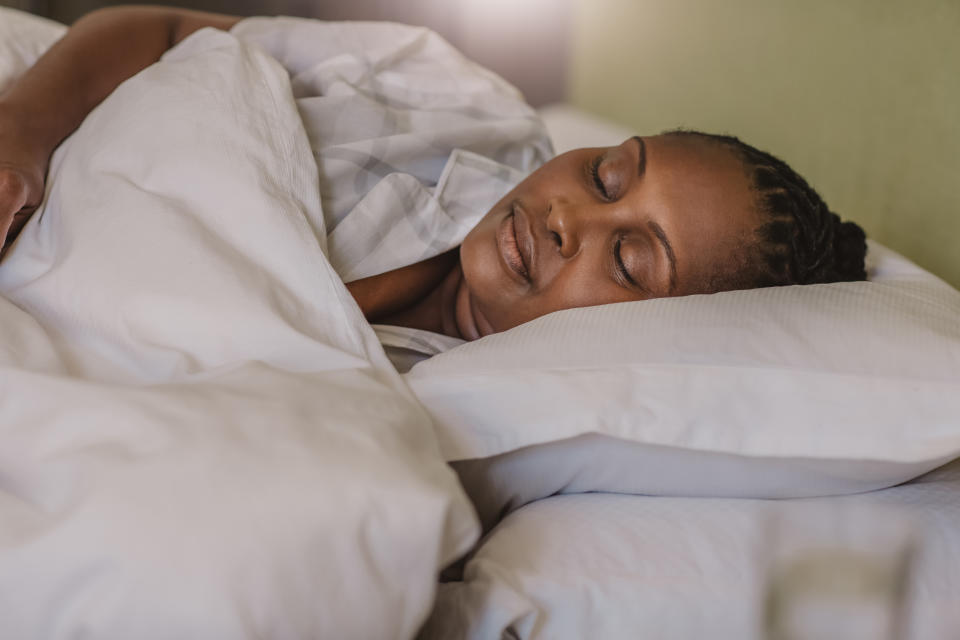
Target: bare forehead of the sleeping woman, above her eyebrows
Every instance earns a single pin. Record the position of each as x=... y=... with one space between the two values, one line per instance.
x=700 y=193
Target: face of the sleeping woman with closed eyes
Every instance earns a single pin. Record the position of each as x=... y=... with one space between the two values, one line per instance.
x=650 y=218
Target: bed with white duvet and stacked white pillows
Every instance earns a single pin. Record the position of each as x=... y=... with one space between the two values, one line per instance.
x=161 y=477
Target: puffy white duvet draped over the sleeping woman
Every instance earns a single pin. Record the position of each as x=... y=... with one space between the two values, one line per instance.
x=200 y=436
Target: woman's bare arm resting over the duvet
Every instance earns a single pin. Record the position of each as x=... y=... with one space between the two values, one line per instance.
x=49 y=101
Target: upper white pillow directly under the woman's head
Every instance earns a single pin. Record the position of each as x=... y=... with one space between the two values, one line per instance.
x=782 y=392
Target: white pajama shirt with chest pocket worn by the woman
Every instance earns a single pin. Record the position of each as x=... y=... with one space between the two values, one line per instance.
x=414 y=144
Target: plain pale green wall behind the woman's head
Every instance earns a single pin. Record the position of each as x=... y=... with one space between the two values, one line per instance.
x=862 y=97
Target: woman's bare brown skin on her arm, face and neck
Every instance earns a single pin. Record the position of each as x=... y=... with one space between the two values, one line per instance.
x=568 y=225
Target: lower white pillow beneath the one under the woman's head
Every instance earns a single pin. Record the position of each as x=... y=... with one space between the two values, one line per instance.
x=623 y=567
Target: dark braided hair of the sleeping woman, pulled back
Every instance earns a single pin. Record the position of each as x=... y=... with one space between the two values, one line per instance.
x=802 y=241
